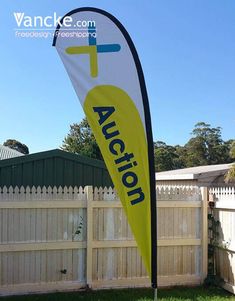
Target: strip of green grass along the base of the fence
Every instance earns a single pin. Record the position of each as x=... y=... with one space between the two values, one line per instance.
x=175 y=294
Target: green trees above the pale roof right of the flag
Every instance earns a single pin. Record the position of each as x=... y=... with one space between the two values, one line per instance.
x=206 y=147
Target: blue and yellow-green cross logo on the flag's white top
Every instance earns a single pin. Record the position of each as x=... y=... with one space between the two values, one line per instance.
x=92 y=50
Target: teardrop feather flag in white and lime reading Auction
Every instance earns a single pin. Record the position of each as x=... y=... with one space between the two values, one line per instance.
x=104 y=68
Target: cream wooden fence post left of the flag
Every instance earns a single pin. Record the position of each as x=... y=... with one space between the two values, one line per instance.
x=89 y=199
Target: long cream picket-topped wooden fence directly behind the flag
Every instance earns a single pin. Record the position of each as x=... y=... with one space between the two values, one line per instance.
x=65 y=239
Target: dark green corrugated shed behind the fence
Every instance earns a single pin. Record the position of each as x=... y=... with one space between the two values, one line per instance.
x=53 y=168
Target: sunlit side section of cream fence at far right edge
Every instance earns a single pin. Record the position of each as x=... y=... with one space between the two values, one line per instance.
x=224 y=198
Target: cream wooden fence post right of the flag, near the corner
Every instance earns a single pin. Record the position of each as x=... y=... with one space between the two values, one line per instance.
x=204 y=193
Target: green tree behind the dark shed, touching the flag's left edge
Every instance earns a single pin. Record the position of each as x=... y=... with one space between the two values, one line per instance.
x=81 y=140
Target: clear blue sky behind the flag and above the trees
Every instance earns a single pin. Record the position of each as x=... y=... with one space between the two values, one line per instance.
x=187 y=51
